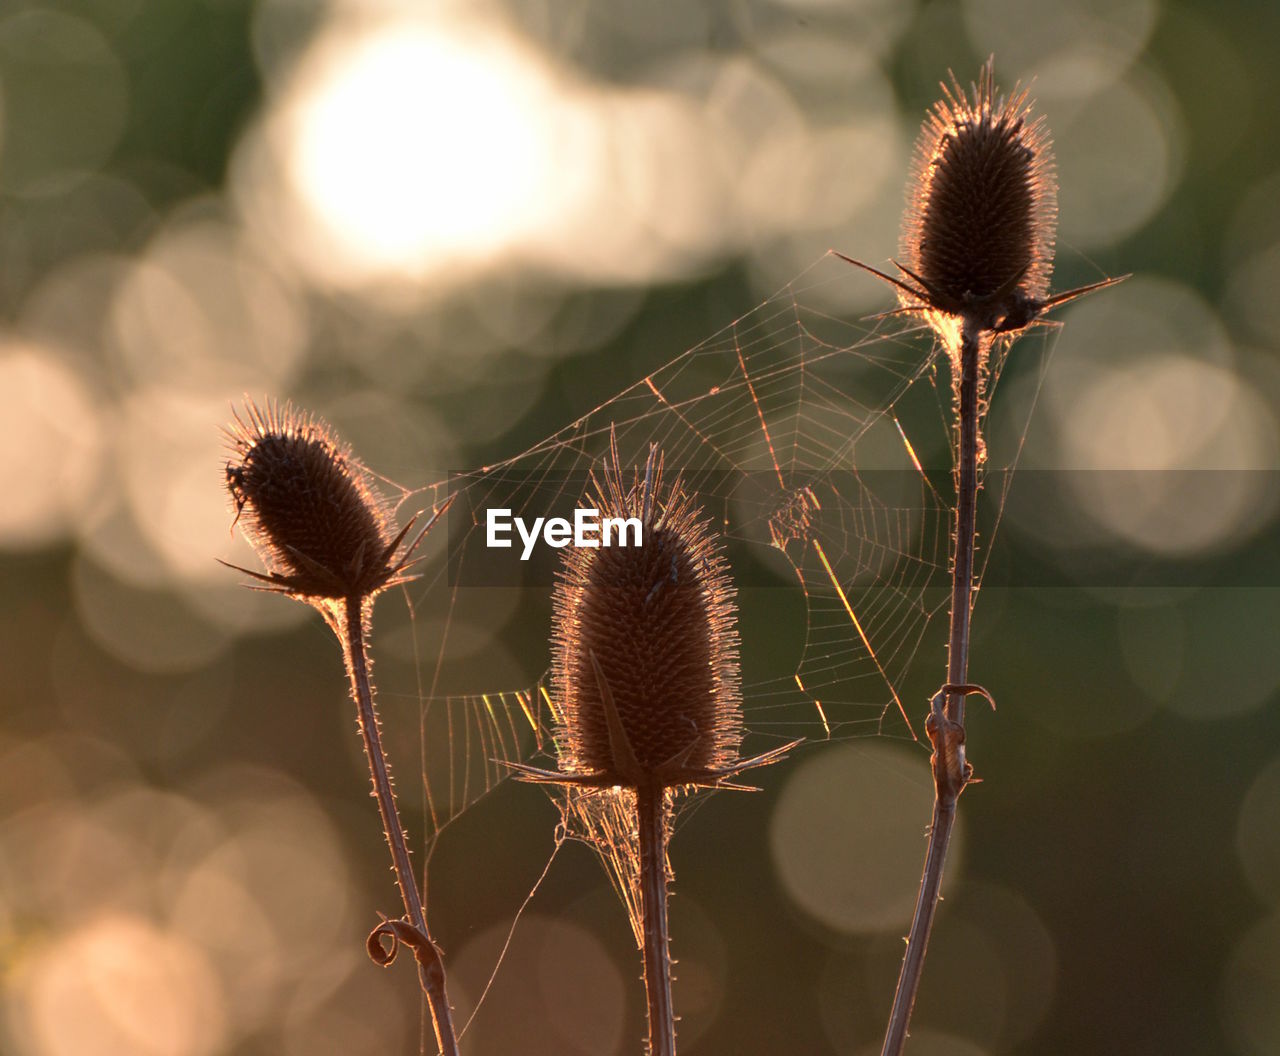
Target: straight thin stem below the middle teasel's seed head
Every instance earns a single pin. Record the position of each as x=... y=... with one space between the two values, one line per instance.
x=651 y=819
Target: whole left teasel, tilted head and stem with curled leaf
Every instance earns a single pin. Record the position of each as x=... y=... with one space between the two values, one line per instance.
x=314 y=515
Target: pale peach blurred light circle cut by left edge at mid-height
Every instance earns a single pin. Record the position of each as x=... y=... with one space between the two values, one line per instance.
x=51 y=423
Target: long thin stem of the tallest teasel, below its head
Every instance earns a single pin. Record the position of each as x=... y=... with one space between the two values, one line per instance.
x=947 y=724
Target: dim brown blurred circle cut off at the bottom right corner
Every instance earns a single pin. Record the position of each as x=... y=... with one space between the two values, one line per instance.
x=1251 y=991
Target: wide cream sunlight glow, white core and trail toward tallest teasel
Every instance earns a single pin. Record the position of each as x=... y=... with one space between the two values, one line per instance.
x=415 y=154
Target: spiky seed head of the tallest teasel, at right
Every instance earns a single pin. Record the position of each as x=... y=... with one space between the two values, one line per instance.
x=982 y=207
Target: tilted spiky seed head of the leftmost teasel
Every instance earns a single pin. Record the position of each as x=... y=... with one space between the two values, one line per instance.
x=308 y=506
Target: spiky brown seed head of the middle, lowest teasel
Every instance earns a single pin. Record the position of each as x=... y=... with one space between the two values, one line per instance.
x=650 y=634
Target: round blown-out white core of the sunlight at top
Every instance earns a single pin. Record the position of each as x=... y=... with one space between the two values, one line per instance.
x=414 y=143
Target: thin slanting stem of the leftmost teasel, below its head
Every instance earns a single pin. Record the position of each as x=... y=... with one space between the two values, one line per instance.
x=432 y=973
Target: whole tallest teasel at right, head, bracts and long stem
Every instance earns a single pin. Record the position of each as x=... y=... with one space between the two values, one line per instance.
x=977 y=253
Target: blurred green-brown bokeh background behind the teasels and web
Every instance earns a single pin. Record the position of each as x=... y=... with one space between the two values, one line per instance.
x=452 y=230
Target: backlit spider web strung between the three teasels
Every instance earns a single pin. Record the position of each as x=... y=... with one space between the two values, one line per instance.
x=820 y=446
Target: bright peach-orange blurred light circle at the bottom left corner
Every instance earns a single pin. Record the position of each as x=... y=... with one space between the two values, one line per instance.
x=120 y=986
